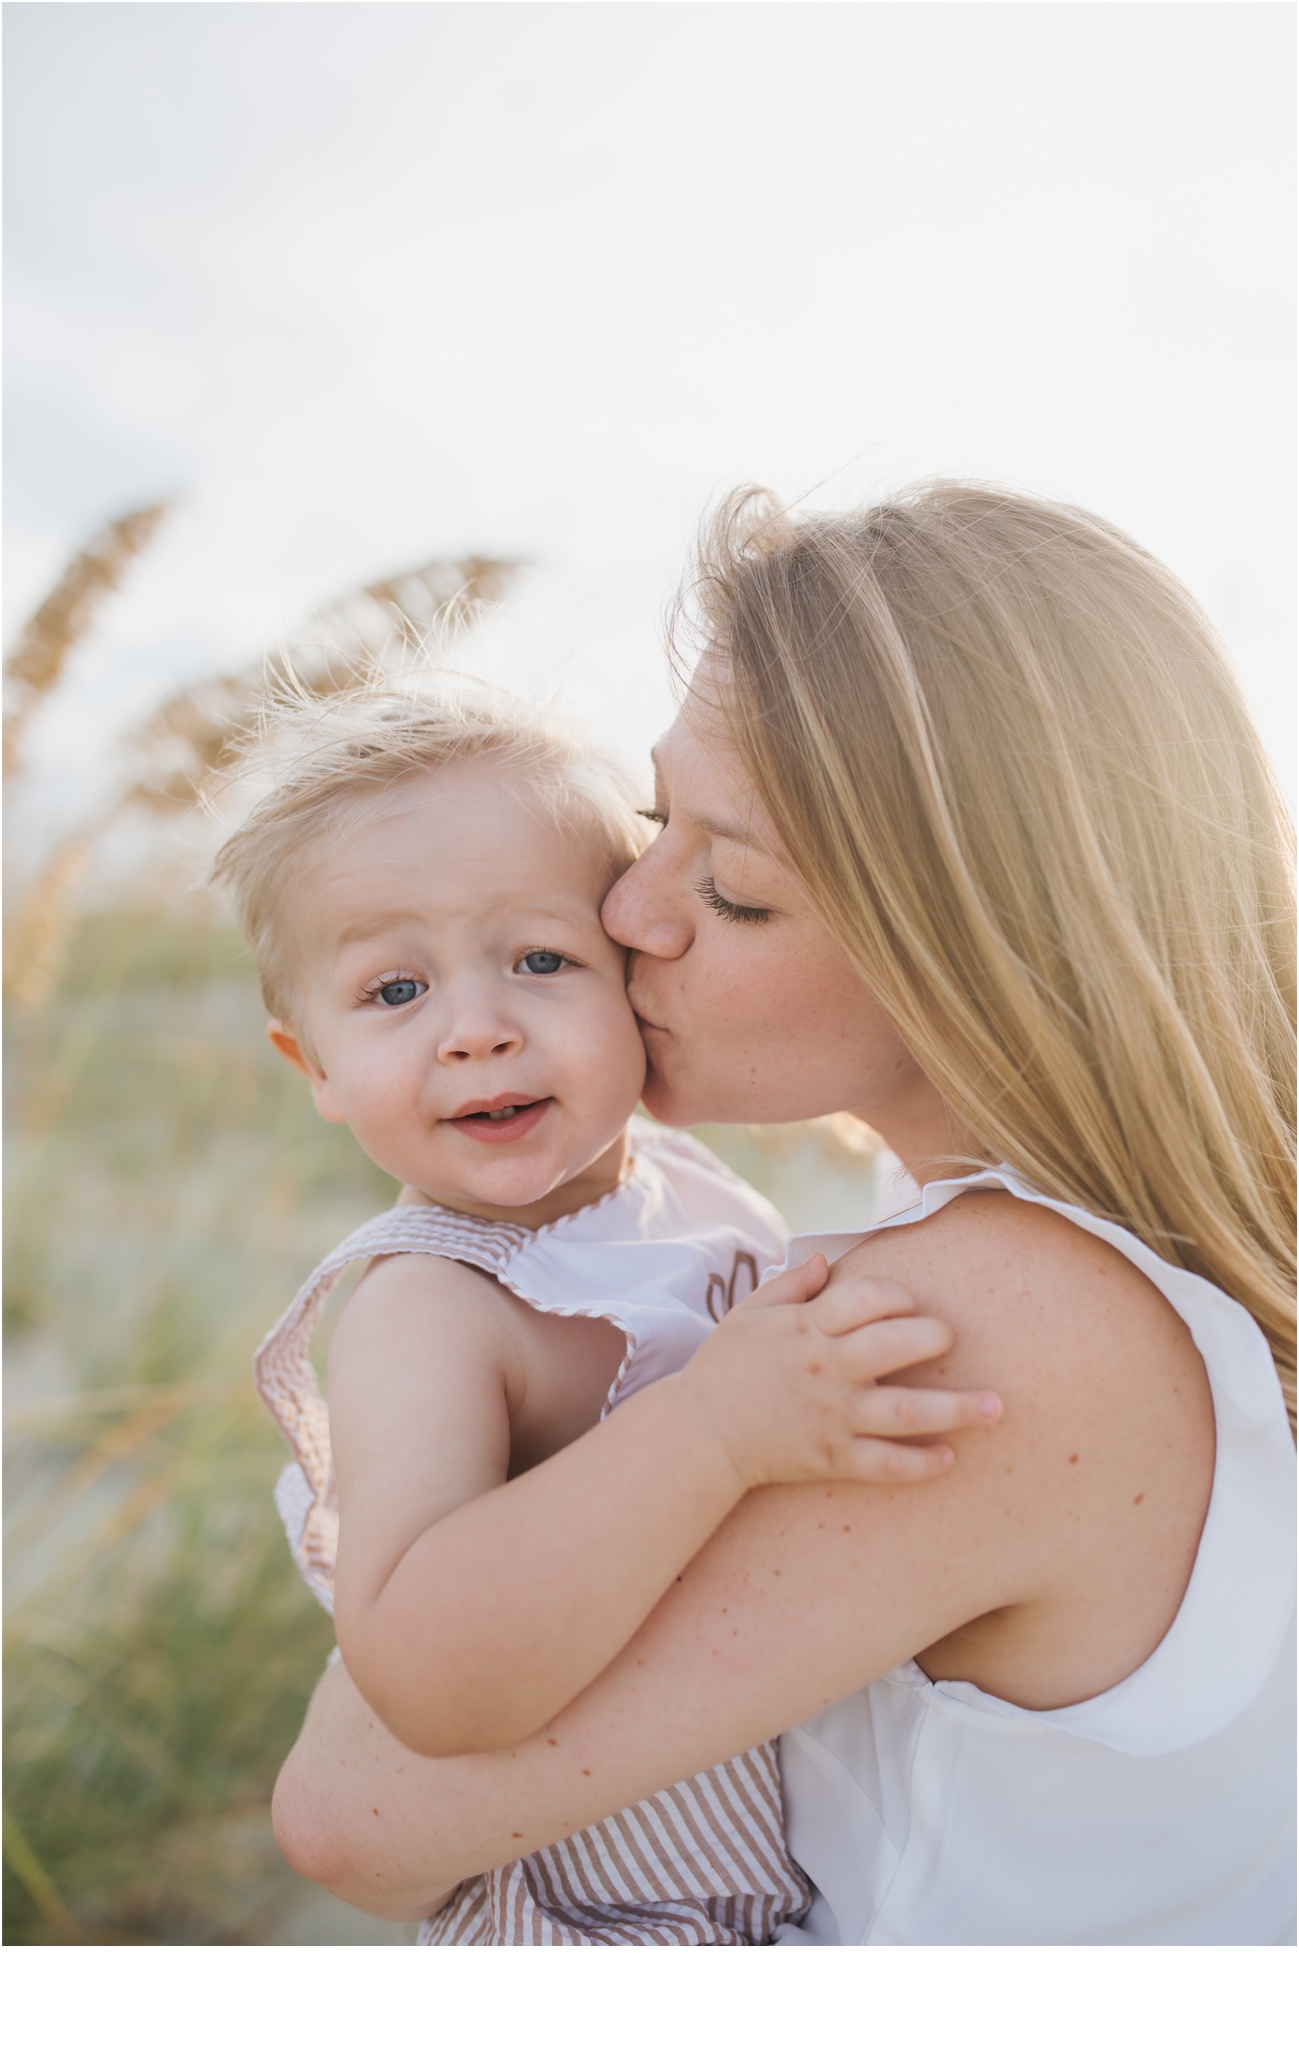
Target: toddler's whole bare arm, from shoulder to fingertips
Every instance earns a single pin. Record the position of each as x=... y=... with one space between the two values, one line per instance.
x=470 y=1611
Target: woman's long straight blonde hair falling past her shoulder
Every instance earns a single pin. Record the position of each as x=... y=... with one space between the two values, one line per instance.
x=1007 y=755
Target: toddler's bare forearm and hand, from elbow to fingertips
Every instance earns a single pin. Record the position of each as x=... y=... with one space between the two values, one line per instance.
x=513 y=1605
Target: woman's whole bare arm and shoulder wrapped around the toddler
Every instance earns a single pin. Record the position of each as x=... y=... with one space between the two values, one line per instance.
x=1046 y=1568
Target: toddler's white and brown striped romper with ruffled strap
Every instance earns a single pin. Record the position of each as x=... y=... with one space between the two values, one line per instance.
x=663 y=1258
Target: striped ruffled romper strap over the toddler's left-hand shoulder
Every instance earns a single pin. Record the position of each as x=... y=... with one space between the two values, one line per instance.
x=286 y=1379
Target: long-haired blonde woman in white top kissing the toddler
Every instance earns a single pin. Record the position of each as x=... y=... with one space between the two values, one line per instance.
x=966 y=830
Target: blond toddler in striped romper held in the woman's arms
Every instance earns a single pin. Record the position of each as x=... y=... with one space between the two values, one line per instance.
x=423 y=894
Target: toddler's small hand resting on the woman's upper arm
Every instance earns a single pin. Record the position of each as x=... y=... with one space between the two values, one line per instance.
x=788 y=1381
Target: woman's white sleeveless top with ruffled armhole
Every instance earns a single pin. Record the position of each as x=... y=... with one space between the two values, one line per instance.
x=1161 y=1811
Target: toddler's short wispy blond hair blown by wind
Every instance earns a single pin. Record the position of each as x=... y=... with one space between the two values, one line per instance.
x=327 y=761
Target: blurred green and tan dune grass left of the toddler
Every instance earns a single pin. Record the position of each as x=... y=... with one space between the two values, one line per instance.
x=169 y=1187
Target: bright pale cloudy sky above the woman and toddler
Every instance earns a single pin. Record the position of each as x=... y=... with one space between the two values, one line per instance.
x=368 y=284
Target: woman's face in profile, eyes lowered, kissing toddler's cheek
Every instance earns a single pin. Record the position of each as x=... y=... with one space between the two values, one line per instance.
x=749 y=1009
